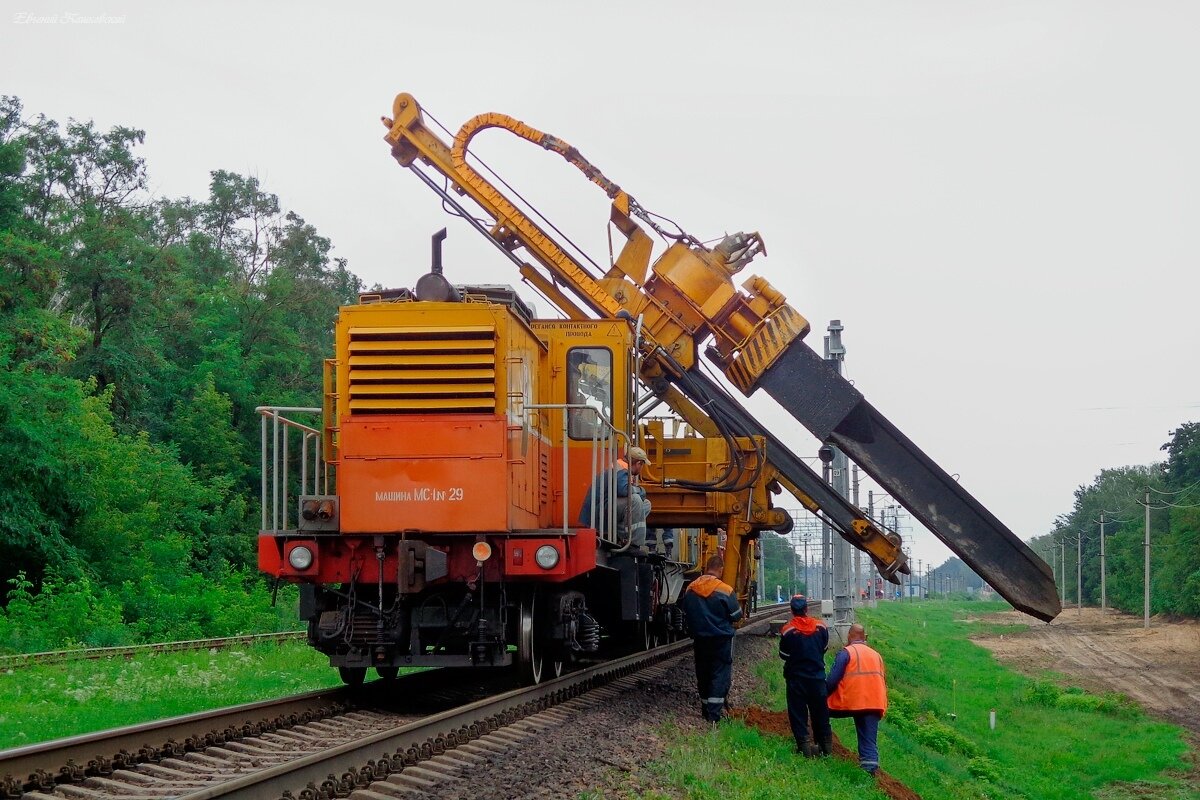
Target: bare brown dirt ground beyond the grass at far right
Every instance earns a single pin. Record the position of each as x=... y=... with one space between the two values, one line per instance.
x=1160 y=667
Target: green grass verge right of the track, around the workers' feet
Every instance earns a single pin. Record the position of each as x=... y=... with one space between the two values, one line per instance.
x=1052 y=742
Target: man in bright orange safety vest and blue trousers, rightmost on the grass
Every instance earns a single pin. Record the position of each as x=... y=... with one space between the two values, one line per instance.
x=857 y=689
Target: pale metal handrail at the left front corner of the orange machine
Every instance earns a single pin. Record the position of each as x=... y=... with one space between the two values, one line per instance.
x=277 y=462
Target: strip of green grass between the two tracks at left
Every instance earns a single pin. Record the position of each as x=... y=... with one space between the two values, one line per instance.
x=41 y=703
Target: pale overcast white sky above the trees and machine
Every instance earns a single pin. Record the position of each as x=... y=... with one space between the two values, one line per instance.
x=999 y=201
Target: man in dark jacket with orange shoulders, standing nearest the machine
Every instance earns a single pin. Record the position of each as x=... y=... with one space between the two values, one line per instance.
x=712 y=609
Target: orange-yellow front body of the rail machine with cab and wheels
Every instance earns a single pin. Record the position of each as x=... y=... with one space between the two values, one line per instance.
x=459 y=442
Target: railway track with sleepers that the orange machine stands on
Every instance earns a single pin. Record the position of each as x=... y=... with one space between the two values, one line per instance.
x=370 y=744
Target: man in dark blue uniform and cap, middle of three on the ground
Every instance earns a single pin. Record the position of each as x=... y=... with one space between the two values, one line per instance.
x=803 y=642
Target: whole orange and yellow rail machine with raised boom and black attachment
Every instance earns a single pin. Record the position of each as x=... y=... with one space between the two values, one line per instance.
x=430 y=512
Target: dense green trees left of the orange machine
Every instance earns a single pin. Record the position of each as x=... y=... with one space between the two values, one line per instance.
x=137 y=335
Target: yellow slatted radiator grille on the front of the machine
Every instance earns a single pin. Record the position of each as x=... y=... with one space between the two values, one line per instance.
x=424 y=370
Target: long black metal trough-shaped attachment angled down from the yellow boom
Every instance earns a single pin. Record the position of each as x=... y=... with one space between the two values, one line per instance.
x=830 y=407
